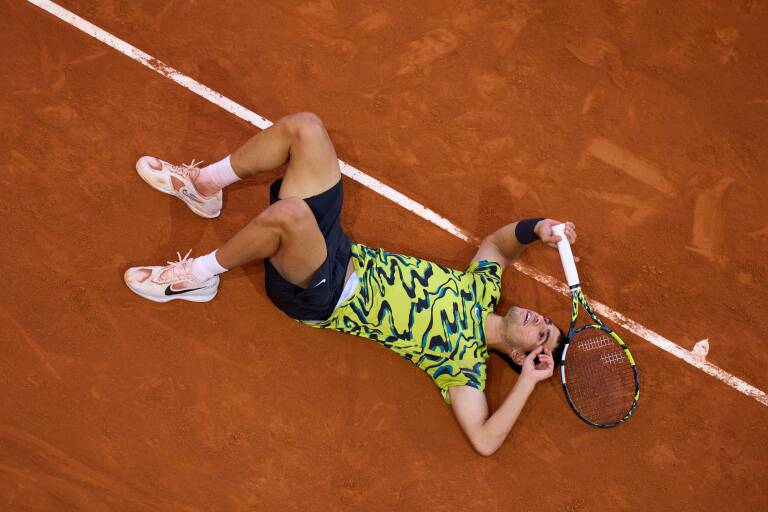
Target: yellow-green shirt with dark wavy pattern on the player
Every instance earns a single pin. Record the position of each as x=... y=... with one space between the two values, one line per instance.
x=429 y=314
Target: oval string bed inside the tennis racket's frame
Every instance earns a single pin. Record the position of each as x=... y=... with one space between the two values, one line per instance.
x=599 y=377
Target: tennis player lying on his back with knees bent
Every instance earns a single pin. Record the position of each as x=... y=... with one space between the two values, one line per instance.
x=440 y=319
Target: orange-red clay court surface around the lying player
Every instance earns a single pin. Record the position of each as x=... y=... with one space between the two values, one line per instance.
x=645 y=123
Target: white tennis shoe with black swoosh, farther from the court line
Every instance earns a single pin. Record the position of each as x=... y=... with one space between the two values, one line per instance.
x=171 y=282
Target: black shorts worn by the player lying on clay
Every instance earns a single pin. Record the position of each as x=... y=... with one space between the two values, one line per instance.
x=318 y=300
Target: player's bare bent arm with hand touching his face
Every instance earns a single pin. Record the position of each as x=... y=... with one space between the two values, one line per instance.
x=487 y=433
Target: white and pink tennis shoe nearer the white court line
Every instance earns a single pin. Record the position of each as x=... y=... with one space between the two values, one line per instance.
x=177 y=180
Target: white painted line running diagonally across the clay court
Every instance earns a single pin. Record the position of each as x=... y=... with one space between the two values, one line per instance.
x=393 y=195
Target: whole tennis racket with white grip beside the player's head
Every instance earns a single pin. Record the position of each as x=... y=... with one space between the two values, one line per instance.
x=597 y=370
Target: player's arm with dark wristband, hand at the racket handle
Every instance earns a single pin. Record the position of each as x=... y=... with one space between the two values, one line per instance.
x=504 y=244
